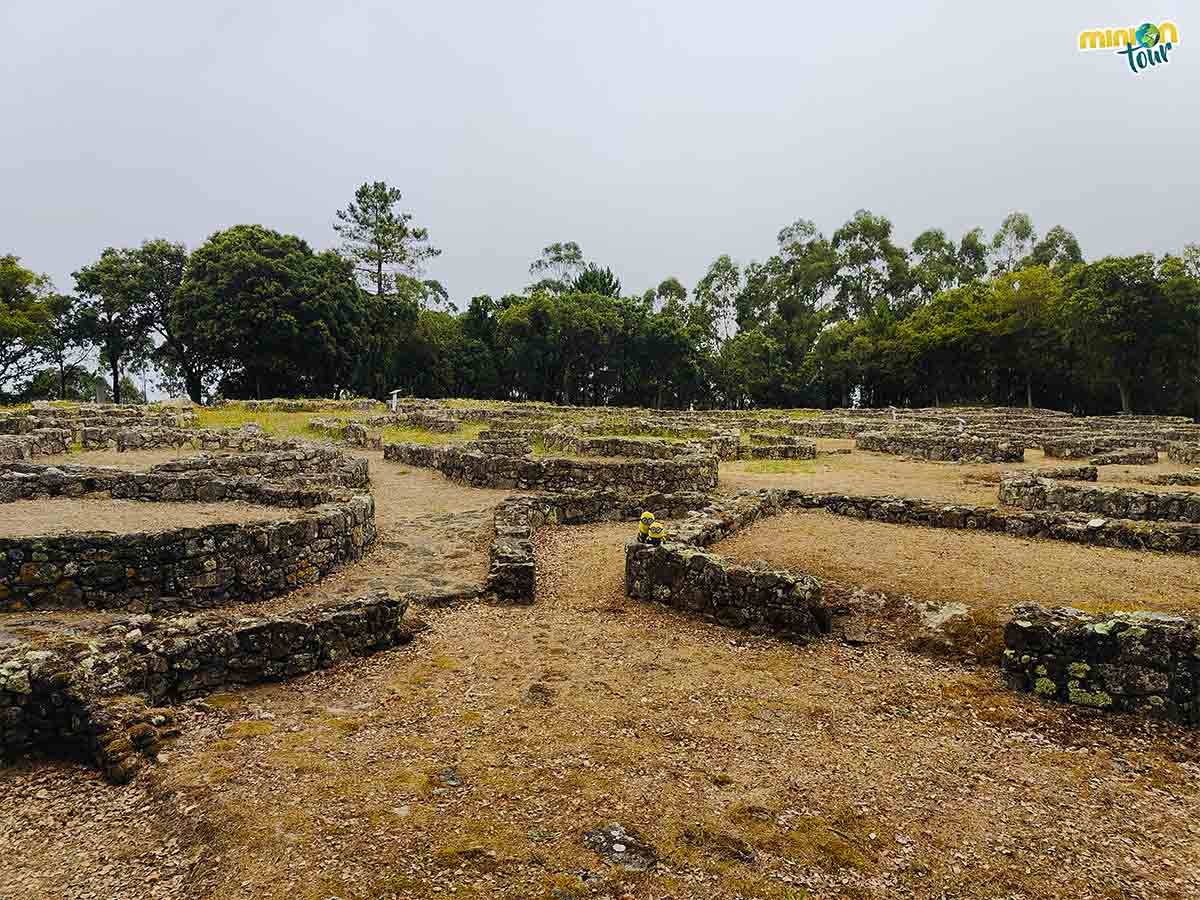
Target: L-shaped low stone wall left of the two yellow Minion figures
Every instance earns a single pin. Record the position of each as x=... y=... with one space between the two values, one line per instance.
x=511 y=573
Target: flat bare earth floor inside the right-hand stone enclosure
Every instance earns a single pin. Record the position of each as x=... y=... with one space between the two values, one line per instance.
x=976 y=568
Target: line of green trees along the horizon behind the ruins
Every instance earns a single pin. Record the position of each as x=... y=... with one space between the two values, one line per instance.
x=855 y=317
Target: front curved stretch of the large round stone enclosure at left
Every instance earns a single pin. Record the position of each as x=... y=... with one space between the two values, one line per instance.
x=184 y=568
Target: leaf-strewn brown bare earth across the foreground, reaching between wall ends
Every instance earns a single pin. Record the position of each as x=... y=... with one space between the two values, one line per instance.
x=471 y=763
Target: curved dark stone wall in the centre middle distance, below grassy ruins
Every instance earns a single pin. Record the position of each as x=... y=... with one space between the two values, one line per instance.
x=637 y=477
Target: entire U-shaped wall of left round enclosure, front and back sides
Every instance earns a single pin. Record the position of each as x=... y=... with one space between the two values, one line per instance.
x=189 y=568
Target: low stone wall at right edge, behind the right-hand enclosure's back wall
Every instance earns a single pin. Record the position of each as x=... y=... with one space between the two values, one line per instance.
x=1034 y=494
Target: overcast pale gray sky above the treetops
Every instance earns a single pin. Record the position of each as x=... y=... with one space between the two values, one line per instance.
x=657 y=135
